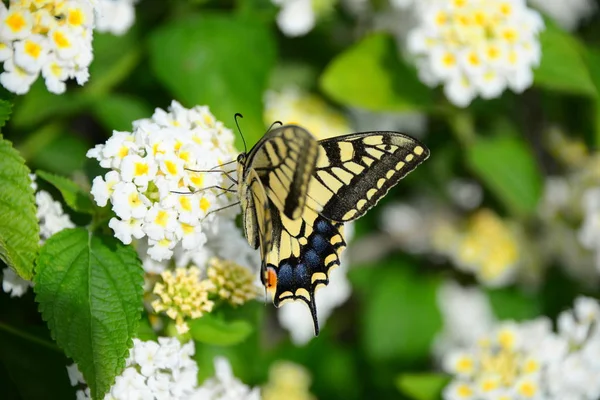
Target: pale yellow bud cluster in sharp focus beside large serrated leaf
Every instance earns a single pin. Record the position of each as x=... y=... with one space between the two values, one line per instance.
x=183 y=295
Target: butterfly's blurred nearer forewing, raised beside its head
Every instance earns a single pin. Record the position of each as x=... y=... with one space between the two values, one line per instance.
x=285 y=160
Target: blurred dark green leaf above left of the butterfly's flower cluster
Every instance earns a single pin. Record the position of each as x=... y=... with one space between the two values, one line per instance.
x=117 y=112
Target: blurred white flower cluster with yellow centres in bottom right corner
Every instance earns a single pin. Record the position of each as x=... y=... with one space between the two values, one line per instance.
x=518 y=361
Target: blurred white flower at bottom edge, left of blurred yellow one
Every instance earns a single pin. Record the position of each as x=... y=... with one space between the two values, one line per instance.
x=225 y=386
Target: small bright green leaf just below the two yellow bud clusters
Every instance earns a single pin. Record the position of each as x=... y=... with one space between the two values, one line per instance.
x=212 y=329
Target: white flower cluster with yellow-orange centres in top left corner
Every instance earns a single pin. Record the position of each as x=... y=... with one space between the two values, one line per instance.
x=48 y=37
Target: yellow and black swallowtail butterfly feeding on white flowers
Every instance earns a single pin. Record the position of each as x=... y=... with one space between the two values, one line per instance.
x=296 y=193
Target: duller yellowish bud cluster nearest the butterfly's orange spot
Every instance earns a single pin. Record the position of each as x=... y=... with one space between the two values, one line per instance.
x=232 y=282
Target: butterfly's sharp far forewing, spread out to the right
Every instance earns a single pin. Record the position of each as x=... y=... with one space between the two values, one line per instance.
x=354 y=172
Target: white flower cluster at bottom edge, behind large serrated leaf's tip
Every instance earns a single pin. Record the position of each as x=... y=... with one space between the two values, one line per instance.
x=154 y=370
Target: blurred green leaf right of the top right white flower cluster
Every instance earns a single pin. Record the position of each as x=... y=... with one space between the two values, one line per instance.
x=562 y=67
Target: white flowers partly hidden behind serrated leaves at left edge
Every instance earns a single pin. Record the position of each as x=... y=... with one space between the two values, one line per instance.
x=52 y=219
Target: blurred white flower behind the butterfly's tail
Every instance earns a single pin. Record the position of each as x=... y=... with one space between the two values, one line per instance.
x=294 y=317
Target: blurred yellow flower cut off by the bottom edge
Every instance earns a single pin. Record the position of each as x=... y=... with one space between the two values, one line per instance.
x=287 y=380
